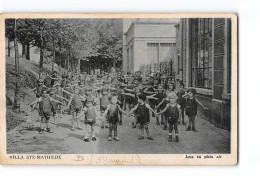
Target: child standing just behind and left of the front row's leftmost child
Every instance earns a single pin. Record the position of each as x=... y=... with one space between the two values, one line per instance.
x=75 y=105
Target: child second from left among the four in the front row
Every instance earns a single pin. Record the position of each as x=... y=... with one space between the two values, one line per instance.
x=112 y=112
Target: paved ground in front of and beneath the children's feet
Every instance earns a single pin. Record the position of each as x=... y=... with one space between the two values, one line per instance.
x=26 y=139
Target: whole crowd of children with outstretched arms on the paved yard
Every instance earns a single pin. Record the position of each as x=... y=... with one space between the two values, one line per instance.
x=114 y=94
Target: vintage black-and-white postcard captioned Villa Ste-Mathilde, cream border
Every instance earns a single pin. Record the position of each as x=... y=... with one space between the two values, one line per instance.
x=118 y=89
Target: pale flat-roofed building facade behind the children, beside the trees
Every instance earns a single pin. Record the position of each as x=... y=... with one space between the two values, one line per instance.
x=148 y=41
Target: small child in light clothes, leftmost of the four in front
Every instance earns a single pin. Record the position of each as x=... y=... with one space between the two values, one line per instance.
x=91 y=113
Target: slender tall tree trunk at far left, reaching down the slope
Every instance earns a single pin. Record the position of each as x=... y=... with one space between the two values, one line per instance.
x=16 y=106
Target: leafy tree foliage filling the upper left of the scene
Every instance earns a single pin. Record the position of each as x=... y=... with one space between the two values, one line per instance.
x=80 y=37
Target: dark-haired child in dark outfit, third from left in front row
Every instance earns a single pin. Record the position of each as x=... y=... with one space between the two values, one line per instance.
x=143 y=115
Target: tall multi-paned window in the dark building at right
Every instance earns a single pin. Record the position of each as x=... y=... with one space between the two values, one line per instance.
x=201 y=52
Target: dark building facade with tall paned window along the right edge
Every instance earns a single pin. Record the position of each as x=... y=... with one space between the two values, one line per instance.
x=203 y=62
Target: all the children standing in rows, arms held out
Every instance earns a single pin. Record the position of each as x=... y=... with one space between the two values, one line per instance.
x=81 y=100
